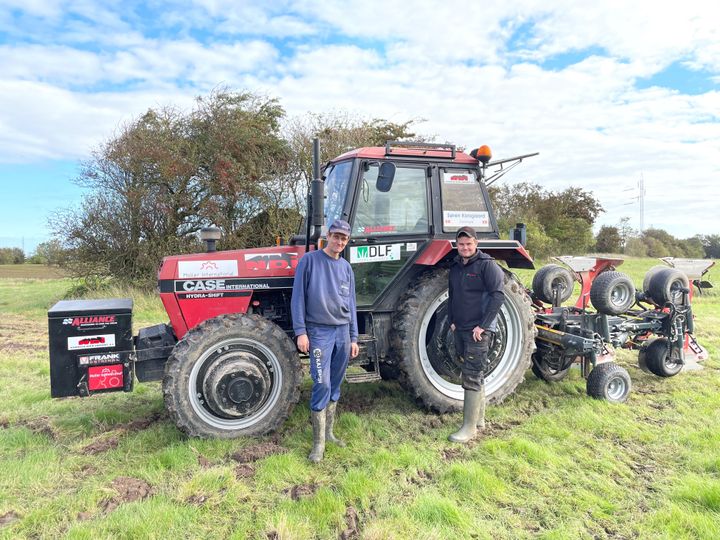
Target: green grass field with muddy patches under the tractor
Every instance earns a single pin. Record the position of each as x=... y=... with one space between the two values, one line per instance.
x=552 y=463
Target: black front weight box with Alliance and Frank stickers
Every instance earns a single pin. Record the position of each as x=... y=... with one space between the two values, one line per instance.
x=91 y=347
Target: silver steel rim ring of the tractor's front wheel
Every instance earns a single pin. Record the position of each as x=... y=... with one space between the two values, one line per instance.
x=248 y=346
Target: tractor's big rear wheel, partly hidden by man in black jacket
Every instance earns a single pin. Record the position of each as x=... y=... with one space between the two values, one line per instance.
x=422 y=339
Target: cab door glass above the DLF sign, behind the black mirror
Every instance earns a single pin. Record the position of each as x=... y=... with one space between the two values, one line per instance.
x=402 y=210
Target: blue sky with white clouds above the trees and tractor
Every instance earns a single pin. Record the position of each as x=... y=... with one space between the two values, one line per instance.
x=606 y=93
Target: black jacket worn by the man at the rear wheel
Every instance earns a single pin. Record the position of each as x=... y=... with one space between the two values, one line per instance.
x=476 y=292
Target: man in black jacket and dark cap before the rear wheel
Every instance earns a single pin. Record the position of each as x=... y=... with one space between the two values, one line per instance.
x=476 y=294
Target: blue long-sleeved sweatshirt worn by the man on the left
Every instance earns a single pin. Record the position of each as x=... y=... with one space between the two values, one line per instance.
x=323 y=293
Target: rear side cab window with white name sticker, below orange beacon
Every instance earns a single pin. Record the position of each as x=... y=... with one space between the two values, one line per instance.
x=462 y=201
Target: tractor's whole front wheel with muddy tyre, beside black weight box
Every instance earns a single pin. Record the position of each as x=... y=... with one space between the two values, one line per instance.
x=232 y=376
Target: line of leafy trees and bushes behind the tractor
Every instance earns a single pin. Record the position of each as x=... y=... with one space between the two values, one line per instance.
x=236 y=161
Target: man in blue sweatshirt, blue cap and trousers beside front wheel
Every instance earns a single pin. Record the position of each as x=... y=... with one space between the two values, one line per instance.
x=325 y=323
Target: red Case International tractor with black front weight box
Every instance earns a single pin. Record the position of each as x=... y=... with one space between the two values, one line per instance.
x=227 y=360
